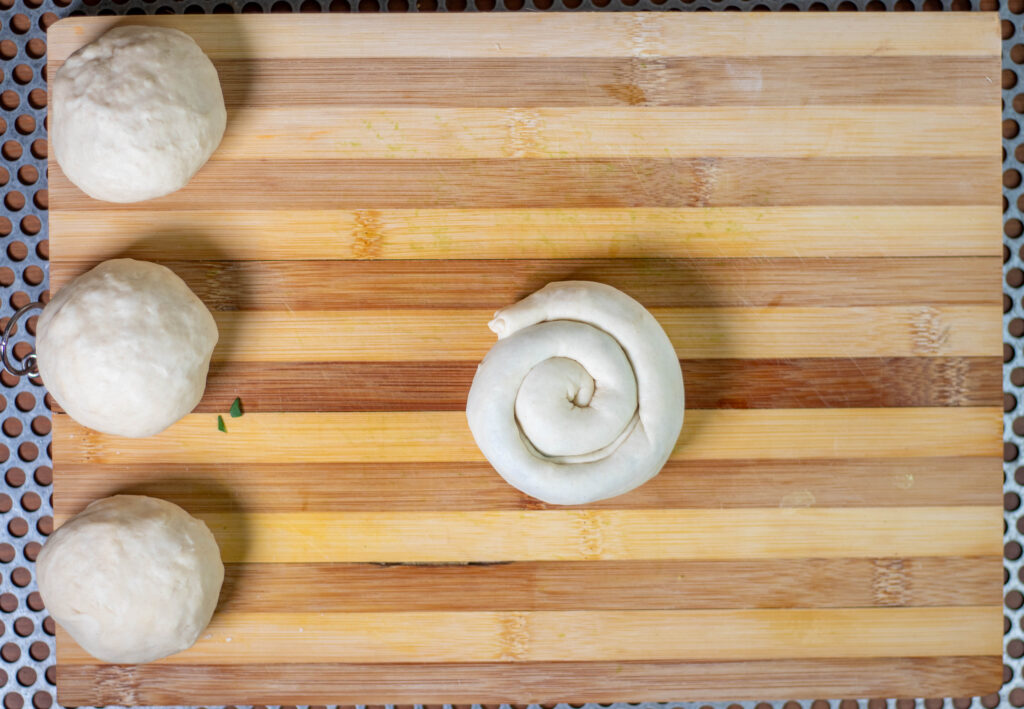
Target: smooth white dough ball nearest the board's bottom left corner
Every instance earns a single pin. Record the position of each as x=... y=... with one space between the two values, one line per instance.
x=132 y=578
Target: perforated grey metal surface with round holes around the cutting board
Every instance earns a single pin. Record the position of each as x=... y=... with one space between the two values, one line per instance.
x=27 y=649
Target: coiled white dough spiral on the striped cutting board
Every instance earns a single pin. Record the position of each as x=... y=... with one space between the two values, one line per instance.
x=582 y=397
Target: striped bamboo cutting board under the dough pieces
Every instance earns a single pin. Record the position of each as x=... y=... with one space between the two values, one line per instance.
x=809 y=204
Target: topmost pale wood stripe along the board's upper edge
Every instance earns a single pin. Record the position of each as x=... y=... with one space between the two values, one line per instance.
x=642 y=35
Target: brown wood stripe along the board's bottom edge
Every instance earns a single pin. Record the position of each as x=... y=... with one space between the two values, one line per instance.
x=328 y=684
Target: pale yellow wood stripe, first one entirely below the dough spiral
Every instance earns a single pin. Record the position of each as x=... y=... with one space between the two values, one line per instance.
x=607 y=535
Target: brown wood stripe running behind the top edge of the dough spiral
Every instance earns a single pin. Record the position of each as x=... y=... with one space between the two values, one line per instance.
x=655 y=282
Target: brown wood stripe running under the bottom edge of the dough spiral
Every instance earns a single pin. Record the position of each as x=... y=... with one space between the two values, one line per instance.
x=216 y=487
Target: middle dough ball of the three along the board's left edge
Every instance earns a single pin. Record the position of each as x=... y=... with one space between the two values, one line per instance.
x=125 y=348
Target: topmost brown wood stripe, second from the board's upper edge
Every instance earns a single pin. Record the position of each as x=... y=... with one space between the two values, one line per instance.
x=530 y=82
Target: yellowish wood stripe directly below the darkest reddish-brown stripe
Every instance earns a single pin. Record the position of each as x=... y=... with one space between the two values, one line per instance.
x=445 y=437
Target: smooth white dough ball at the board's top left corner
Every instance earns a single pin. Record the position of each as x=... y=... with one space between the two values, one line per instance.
x=136 y=114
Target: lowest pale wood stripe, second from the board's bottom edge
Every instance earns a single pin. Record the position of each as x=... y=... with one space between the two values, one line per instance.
x=586 y=636
